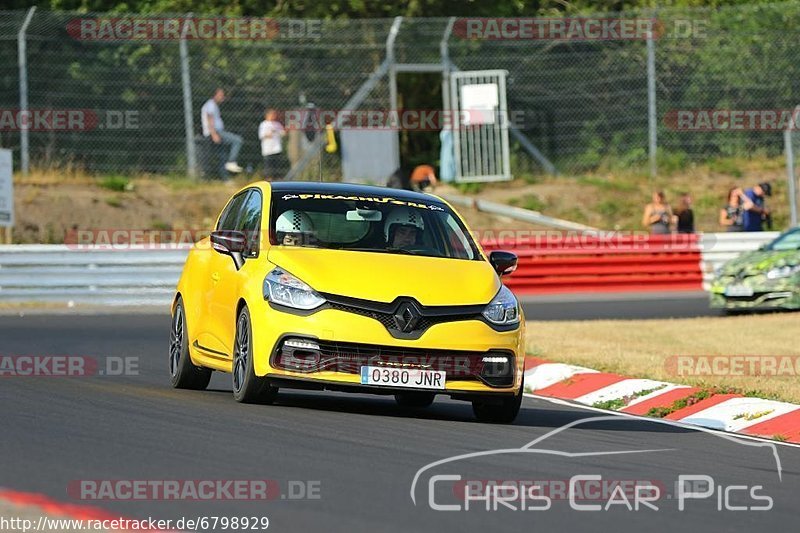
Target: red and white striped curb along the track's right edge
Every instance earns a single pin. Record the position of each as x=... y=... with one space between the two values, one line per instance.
x=727 y=412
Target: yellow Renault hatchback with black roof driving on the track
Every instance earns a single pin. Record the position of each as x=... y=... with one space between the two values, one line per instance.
x=349 y=288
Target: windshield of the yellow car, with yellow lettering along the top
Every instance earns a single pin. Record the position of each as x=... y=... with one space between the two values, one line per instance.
x=377 y=223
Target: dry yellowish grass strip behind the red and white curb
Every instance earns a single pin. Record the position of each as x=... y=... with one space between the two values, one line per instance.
x=643 y=348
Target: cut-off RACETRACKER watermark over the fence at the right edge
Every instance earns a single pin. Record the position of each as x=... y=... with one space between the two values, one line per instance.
x=732 y=119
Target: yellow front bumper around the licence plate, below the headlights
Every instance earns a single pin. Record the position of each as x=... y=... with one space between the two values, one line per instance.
x=454 y=347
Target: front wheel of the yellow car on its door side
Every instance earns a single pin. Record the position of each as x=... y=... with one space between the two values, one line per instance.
x=247 y=387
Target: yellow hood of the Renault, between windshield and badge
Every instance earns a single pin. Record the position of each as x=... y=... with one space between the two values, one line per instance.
x=383 y=276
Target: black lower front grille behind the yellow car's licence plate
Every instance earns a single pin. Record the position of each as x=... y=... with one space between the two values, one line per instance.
x=350 y=357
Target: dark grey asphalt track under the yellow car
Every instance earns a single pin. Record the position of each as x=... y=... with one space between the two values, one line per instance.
x=364 y=451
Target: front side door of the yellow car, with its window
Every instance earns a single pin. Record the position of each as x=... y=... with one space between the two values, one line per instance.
x=227 y=281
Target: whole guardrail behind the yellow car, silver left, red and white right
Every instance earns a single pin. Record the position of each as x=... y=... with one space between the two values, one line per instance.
x=589 y=262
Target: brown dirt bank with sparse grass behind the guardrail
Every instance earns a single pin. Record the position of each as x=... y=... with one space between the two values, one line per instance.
x=51 y=203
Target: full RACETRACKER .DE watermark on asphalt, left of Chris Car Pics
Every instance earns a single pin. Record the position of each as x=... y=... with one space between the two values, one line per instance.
x=193 y=489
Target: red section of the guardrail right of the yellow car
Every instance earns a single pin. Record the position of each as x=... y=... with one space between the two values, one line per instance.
x=573 y=262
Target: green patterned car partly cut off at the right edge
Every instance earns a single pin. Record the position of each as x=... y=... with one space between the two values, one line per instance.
x=768 y=278
